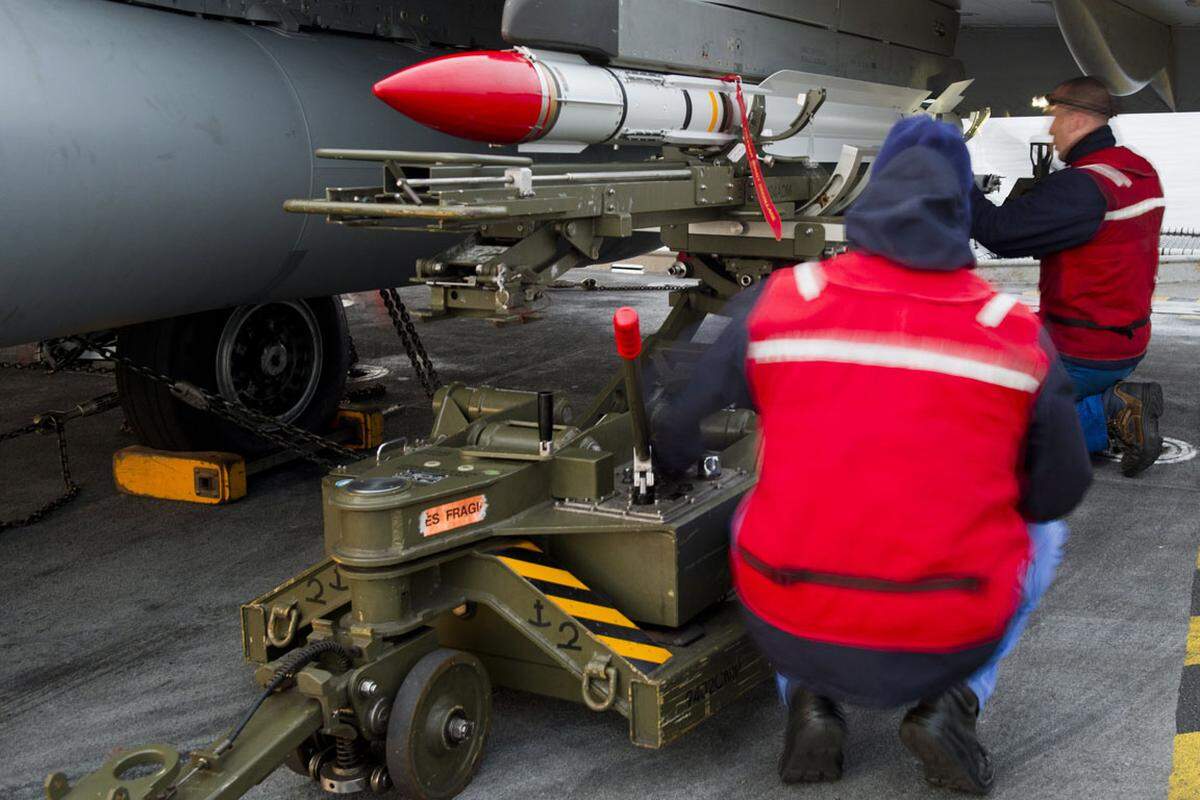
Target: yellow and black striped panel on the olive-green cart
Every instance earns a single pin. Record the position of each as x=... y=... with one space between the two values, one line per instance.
x=595 y=612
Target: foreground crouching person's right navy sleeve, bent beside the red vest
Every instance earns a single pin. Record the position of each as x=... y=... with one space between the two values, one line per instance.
x=1058 y=467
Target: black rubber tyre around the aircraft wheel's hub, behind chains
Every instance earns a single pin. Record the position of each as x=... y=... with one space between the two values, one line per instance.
x=187 y=350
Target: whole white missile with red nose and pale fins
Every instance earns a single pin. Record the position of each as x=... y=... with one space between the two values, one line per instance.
x=557 y=103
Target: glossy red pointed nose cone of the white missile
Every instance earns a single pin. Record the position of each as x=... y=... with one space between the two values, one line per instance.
x=489 y=95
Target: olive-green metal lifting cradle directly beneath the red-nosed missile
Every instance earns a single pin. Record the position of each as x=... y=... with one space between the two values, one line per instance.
x=531 y=224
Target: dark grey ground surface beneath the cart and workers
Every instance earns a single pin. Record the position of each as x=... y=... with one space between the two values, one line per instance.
x=121 y=615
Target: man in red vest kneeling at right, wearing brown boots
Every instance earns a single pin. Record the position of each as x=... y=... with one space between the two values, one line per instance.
x=1096 y=227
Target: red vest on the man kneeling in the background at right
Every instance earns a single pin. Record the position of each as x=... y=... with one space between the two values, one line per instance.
x=1096 y=298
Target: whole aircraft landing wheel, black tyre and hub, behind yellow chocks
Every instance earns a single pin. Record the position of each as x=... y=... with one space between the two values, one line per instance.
x=286 y=359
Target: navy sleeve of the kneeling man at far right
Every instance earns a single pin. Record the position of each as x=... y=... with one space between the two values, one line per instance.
x=1064 y=210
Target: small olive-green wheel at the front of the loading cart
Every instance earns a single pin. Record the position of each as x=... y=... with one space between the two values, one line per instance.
x=440 y=726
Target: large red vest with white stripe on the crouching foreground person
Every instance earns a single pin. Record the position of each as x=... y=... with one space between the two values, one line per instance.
x=893 y=408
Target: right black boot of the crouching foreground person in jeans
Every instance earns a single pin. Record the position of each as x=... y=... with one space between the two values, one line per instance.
x=941 y=735
